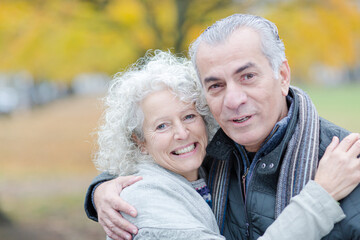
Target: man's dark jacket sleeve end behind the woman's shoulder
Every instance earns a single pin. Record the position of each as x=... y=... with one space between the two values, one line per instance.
x=88 y=204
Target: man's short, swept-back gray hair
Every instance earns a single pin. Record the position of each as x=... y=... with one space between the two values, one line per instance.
x=271 y=45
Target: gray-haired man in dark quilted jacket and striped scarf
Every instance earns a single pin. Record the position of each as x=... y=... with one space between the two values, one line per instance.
x=270 y=139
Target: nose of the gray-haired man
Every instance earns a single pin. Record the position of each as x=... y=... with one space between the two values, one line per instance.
x=234 y=96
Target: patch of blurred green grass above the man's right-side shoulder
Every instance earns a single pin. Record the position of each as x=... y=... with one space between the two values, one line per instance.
x=340 y=104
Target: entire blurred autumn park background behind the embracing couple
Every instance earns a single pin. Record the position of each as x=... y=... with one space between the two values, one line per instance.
x=56 y=58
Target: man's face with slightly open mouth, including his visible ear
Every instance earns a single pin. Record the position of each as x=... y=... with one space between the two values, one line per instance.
x=241 y=89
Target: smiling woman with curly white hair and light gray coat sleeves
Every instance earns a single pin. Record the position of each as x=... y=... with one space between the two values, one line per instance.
x=157 y=126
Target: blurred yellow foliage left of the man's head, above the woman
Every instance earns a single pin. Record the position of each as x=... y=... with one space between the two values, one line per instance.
x=59 y=39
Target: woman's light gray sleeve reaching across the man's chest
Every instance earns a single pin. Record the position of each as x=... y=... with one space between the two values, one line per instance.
x=310 y=215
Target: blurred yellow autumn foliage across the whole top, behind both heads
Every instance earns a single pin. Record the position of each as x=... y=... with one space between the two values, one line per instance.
x=59 y=39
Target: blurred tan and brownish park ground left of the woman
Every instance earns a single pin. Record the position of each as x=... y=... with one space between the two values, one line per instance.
x=45 y=168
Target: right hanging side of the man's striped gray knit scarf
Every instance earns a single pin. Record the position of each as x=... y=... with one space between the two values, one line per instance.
x=301 y=157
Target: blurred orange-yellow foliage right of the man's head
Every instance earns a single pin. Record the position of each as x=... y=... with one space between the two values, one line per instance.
x=322 y=32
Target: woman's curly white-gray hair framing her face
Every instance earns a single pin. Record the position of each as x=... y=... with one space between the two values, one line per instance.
x=123 y=118
